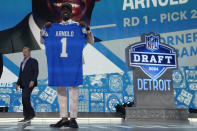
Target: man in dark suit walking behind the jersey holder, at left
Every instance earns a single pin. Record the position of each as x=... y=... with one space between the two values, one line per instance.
x=27 y=81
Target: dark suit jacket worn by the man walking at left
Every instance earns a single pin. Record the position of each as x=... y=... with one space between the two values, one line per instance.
x=29 y=73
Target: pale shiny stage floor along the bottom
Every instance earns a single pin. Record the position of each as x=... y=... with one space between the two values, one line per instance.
x=99 y=124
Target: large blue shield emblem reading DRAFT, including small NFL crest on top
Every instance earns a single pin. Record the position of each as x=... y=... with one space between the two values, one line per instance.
x=150 y=55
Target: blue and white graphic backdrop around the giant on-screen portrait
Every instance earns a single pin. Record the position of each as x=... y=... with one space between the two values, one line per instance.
x=107 y=81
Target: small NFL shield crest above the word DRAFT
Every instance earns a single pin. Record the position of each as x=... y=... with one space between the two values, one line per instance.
x=152 y=42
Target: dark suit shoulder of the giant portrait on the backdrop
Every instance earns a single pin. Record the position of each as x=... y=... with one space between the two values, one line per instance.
x=14 y=39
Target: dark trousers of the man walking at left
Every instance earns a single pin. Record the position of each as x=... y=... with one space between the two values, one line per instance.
x=27 y=107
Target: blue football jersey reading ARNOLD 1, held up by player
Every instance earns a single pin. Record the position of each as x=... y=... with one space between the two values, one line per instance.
x=64 y=46
